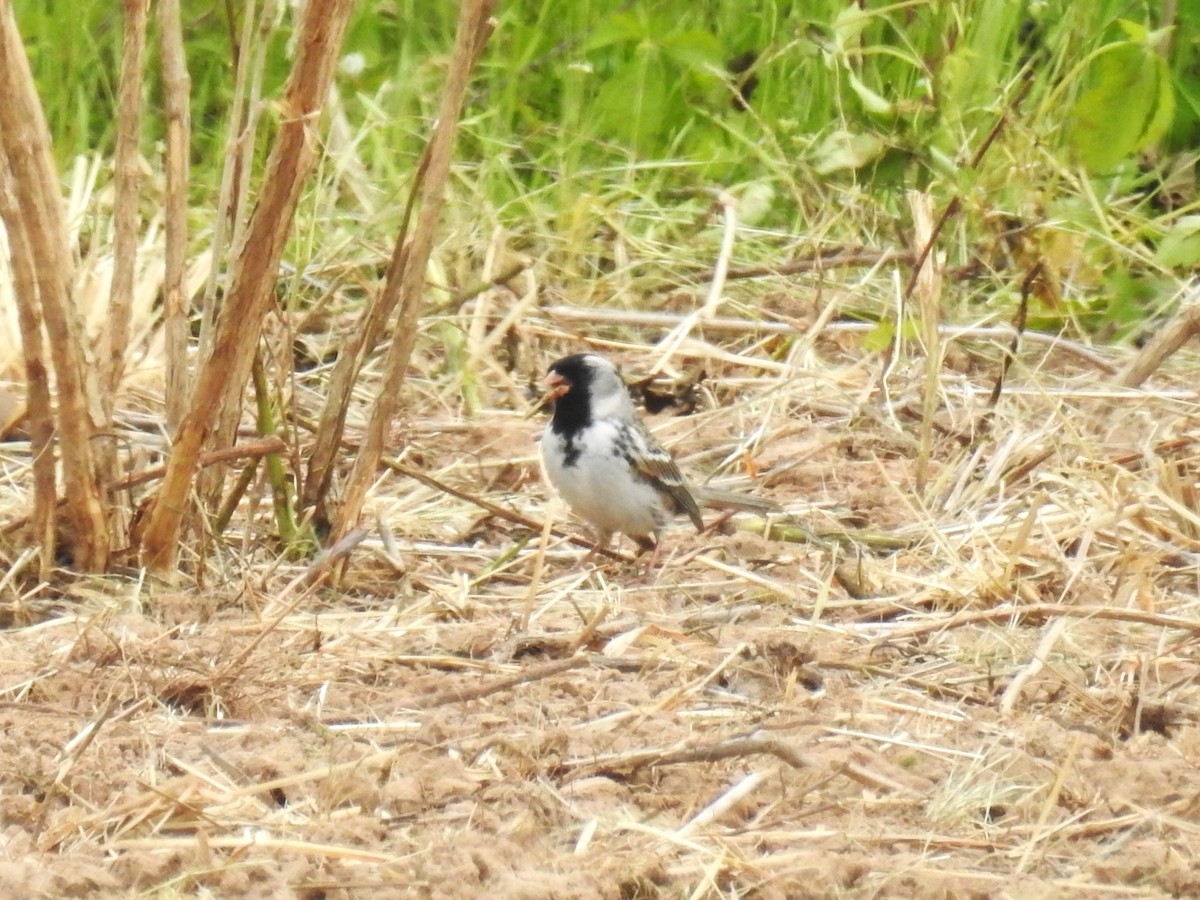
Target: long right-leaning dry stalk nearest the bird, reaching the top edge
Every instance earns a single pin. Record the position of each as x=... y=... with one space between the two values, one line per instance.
x=473 y=31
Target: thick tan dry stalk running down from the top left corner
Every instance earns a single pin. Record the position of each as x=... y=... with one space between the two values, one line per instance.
x=38 y=201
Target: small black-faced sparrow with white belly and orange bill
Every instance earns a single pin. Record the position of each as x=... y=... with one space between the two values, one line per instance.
x=609 y=469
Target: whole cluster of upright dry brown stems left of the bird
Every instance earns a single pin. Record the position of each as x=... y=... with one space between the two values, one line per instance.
x=73 y=406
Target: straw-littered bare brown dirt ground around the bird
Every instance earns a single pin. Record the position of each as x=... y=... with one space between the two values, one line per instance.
x=981 y=680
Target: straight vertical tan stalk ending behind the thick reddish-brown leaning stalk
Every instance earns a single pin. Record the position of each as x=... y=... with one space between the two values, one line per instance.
x=176 y=89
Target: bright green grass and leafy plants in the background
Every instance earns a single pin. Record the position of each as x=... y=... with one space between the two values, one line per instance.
x=590 y=121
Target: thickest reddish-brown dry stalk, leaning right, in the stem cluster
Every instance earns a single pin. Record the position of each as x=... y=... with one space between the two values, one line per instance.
x=226 y=369
